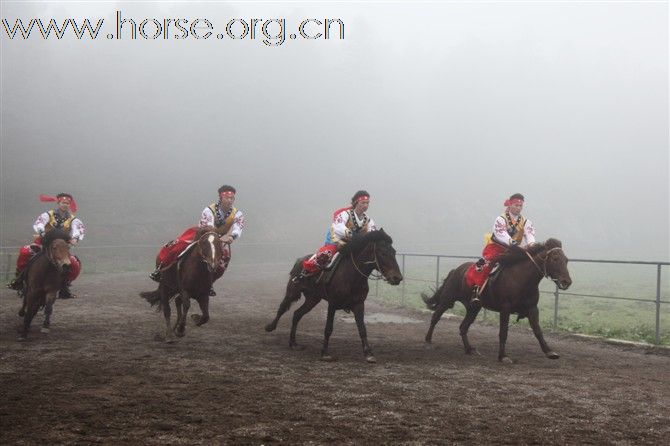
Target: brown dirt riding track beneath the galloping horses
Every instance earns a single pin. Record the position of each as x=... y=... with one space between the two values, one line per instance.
x=100 y=376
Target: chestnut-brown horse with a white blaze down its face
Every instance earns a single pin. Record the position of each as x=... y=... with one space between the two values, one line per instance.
x=190 y=277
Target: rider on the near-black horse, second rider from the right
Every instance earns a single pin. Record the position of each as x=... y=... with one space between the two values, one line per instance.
x=347 y=221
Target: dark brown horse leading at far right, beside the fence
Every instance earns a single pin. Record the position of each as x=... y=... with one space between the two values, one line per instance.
x=514 y=290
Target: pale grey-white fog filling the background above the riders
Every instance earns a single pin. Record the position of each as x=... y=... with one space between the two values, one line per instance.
x=439 y=110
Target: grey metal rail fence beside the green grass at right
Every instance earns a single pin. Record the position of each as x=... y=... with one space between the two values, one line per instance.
x=657 y=301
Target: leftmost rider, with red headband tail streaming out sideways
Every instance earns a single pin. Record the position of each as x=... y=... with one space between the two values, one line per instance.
x=62 y=217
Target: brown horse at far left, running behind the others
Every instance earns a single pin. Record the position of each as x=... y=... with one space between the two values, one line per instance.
x=45 y=275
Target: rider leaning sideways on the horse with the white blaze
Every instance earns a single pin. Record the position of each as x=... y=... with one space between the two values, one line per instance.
x=228 y=221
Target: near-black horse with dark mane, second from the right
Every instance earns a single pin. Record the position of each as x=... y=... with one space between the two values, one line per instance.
x=347 y=288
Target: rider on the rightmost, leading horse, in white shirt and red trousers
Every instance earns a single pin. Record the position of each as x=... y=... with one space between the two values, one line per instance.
x=509 y=229
